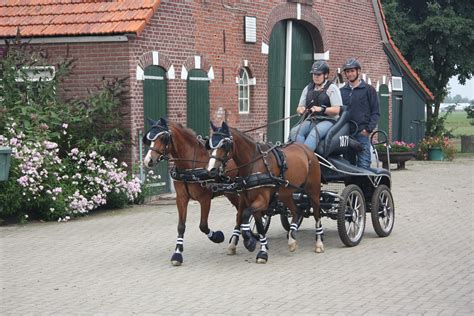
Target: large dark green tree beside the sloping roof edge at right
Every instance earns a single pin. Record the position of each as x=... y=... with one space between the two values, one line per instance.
x=436 y=38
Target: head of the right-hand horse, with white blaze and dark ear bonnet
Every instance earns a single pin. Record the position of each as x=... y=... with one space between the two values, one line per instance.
x=221 y=145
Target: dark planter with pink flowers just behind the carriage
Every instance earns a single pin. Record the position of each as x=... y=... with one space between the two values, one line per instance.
x=399 y=152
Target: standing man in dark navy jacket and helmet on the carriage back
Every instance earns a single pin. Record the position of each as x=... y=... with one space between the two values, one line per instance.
x=362 y=101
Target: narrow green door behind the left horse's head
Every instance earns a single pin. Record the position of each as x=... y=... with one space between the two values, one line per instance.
x=155 y=106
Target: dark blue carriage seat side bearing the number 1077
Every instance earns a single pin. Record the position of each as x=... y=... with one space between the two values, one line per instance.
x=338 y=140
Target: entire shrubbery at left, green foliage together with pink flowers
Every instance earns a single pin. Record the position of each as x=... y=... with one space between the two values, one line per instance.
x=63 y=152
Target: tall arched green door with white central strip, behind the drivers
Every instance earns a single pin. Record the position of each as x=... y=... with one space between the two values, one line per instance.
x=301 y=58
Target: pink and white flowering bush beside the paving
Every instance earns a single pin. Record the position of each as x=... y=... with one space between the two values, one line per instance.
x=42 y=185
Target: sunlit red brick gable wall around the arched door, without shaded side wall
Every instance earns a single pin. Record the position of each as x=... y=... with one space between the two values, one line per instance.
x=214 y=30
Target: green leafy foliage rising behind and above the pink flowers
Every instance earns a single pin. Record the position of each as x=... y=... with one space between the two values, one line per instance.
x=93 y=123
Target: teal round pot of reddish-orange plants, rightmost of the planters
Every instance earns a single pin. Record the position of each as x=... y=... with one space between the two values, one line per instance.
x=435 y=148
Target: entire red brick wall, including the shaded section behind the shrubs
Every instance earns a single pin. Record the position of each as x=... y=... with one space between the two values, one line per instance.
x=181 y=29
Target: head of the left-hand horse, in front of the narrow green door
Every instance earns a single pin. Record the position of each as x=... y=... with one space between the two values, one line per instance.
x=158 y=138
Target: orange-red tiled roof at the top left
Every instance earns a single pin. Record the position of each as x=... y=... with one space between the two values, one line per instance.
x=36 y=18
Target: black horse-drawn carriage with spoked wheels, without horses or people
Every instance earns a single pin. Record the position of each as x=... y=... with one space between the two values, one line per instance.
x=348 y=192
